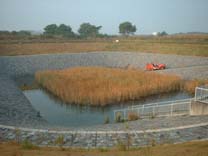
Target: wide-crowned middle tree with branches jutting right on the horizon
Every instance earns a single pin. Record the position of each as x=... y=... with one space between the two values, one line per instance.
x=88 y=30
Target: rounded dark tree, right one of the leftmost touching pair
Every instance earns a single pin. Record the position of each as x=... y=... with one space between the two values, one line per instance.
x=65 y=31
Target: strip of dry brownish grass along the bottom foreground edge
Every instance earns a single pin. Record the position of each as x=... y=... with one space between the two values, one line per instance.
x=199 y=148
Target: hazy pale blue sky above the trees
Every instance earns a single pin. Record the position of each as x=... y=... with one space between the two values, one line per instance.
x=172 y=16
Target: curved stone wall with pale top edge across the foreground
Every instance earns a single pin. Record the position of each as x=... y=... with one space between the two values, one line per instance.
x=90 y=139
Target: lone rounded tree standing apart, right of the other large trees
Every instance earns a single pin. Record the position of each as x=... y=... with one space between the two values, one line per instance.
x=127 y=28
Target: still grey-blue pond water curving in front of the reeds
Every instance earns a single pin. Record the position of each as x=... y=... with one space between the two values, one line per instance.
x=61 y=114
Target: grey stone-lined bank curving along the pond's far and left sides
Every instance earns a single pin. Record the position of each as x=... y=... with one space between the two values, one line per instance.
x=15 y=109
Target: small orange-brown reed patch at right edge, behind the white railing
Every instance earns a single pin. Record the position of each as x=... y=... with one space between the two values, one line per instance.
x=190 y=86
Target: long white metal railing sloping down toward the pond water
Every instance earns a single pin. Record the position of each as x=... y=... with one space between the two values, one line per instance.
x=166 y=108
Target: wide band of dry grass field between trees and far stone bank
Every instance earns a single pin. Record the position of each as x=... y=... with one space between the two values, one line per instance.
x=173 y=44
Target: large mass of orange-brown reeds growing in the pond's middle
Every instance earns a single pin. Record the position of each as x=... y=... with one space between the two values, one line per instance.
x=102 y=86
